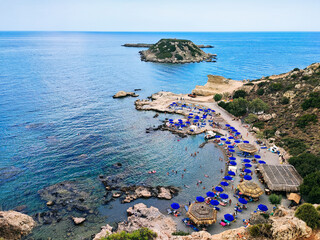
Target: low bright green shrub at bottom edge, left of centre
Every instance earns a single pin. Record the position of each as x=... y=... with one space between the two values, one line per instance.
x=142 y=233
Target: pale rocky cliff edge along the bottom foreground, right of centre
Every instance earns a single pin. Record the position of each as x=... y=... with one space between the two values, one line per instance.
x=283 y=226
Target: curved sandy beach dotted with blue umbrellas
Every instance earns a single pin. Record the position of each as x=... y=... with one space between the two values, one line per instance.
x=216 y=121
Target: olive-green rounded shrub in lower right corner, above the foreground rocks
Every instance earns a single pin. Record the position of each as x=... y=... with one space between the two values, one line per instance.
x=307 y=213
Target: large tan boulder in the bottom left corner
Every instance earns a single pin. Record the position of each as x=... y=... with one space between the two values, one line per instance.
x=14 y=225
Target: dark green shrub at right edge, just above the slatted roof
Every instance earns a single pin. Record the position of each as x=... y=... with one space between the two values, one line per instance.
x=305 y=163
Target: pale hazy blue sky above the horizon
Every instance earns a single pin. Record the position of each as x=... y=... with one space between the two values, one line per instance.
x=158 y=16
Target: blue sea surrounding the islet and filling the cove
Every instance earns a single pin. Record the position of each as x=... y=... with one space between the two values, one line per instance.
x=59 y=122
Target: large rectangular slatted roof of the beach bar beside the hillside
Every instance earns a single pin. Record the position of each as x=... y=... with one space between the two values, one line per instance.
x=281 y=178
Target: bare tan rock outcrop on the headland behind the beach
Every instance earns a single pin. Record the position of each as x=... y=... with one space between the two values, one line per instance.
x=217 y=84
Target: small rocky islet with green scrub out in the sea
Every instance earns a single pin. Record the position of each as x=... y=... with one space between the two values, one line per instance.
x=175 y=51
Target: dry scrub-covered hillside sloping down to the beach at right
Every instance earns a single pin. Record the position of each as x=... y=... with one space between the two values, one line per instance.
x=294 y=98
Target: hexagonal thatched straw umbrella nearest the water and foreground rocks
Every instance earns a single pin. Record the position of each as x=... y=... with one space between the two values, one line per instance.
x=201 y=213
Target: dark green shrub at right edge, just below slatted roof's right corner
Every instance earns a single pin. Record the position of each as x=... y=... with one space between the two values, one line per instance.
x=310 y=188
